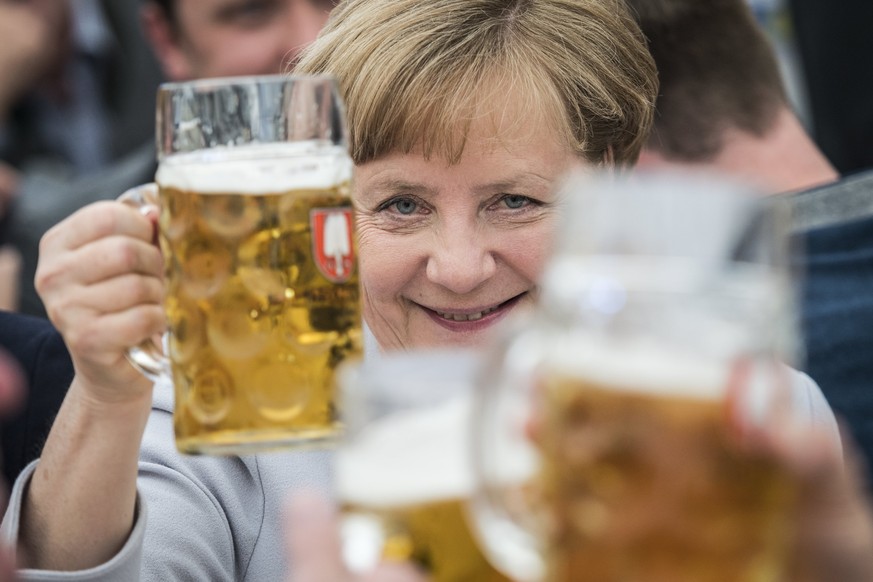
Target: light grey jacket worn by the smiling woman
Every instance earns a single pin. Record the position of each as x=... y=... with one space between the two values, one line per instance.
x=217 y=518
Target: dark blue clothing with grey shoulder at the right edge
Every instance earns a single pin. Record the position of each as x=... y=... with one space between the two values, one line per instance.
x=836 y=226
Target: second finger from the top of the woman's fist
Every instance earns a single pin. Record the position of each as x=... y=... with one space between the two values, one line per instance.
x=98 y=261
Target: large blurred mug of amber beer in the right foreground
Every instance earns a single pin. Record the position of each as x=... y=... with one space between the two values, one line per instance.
x=667 y=302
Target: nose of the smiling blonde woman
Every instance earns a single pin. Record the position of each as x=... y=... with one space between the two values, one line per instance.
x=461 y=260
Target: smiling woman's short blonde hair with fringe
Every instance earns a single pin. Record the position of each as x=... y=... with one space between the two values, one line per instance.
x=414 y=73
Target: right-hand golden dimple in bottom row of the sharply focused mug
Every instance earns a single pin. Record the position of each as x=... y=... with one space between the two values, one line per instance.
x=282 y=386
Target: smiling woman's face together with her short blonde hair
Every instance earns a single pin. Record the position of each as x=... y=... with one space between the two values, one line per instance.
x=463 y=114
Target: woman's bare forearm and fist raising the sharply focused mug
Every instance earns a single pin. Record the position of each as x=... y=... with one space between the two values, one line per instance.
x=99 y=276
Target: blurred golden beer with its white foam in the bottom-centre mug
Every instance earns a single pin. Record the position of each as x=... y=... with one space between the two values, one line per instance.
x=404 y=486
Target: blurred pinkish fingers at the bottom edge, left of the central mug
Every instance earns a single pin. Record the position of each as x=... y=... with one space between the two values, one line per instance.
x=313 y=547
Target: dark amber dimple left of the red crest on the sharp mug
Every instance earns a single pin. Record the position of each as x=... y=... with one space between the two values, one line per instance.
x=269 y=265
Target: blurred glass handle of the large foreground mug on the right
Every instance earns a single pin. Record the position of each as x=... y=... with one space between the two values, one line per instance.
x=506 y=461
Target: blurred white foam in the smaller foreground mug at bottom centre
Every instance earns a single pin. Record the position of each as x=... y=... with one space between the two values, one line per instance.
x=410 y=457
